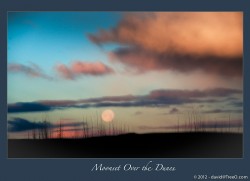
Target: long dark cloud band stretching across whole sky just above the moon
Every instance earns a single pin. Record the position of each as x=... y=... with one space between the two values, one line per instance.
x=156 y=98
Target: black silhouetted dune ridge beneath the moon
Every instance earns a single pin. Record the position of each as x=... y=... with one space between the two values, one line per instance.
x=154 y=145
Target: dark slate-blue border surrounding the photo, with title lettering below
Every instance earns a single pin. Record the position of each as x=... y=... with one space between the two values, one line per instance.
x=80 y=169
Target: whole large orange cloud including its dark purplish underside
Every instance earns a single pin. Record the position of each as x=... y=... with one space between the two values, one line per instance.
x=208 y=41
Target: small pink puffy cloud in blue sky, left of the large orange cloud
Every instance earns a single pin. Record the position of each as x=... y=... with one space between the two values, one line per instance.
x=79 y=68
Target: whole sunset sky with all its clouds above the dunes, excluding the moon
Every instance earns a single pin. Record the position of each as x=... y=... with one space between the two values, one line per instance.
x=156 y=71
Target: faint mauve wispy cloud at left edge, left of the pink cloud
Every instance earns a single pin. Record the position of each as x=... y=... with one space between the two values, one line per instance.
x=32 y=71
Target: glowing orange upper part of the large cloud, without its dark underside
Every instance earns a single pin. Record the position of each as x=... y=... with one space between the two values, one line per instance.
x=210 y=33
